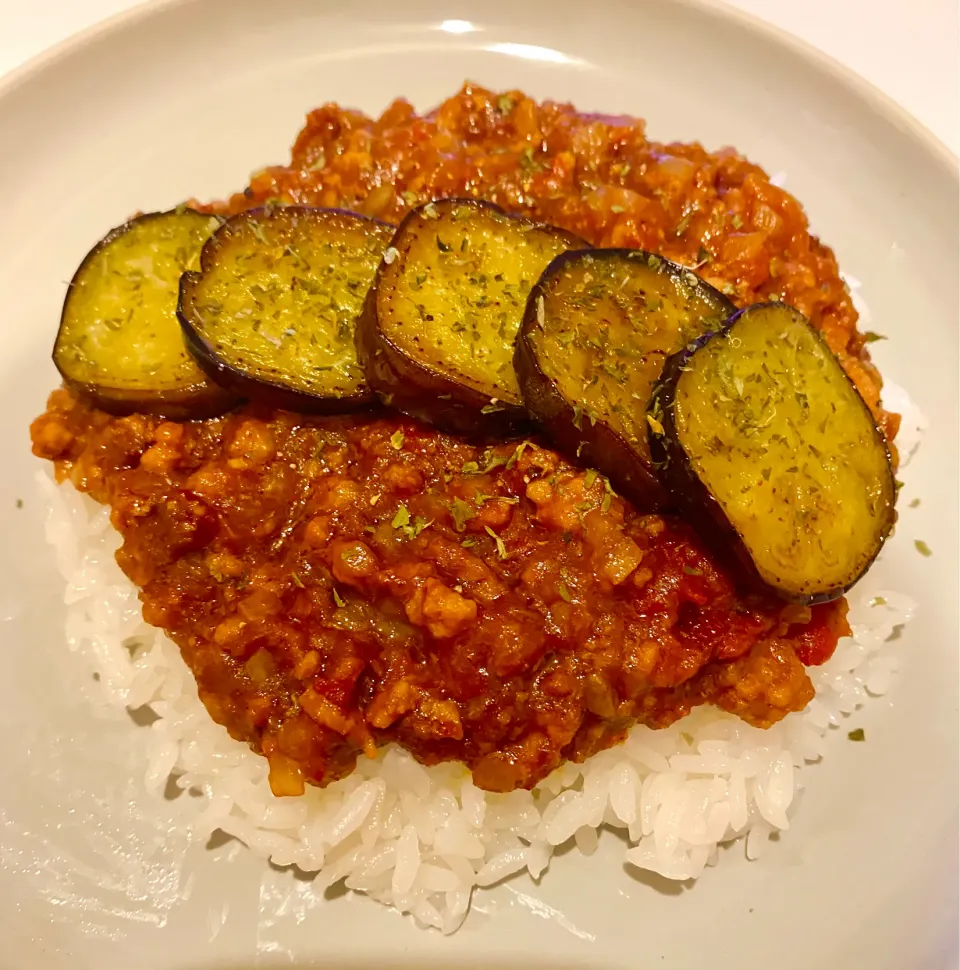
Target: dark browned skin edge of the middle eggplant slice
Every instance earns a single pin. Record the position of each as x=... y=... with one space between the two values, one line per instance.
x=419 y=390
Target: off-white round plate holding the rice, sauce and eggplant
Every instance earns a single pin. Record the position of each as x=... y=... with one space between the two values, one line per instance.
x=186 y=98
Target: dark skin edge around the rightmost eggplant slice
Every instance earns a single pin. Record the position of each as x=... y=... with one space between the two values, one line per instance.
x=700 y=509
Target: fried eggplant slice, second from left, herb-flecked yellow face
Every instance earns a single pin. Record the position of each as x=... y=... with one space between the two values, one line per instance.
x=271 y=313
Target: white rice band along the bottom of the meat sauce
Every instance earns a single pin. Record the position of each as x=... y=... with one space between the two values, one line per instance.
x=423 y=839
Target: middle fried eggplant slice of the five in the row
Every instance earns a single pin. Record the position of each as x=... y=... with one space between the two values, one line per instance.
x=438 y=330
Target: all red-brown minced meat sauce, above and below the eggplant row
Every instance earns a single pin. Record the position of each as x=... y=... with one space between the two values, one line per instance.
x=335 y=584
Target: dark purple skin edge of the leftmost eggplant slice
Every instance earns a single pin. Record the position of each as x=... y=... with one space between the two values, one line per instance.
x=199 y=401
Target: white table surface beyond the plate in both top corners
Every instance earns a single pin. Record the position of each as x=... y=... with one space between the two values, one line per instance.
x=907 y=48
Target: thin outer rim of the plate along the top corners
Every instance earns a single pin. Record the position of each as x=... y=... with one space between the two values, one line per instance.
x=889 y=109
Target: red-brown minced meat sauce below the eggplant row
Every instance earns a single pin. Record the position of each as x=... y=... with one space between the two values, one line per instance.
x=336 y=584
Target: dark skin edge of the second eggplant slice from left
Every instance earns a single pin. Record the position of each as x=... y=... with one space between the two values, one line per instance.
x=268 y=392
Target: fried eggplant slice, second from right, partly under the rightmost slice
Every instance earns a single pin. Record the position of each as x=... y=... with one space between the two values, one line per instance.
x=598 y=327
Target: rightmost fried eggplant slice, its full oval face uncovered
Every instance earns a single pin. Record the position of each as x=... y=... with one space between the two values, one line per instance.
x=770 y=450
